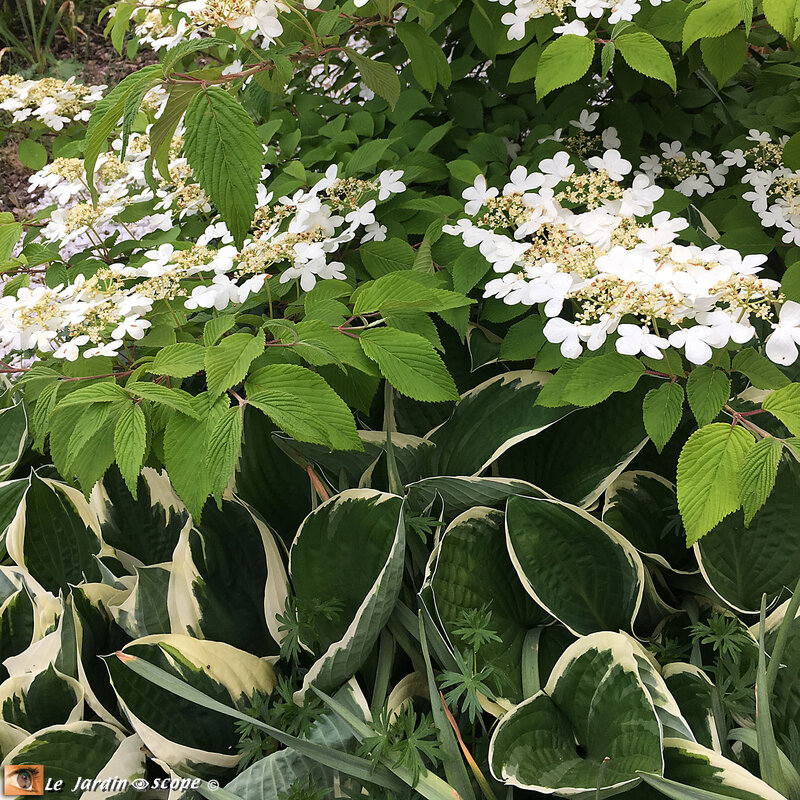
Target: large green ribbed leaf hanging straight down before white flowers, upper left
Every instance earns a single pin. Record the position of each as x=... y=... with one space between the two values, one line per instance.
x=223 y=149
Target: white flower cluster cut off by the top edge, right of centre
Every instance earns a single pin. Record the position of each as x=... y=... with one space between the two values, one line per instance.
x=526 y=10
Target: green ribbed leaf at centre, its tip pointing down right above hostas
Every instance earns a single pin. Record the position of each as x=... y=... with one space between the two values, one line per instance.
x=410 y=364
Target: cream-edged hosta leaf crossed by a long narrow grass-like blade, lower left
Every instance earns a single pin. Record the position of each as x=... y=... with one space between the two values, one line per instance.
x=186 y=735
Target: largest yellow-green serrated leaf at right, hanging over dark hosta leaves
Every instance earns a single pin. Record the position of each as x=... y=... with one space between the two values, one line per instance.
x=708 y=476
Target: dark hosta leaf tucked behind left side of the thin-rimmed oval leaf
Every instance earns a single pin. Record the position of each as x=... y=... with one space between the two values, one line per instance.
x=471 y=568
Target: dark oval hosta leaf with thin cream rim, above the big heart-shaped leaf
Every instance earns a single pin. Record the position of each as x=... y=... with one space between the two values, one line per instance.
x=577 y=568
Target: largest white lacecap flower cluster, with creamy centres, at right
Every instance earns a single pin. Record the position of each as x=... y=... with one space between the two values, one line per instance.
x=617 y=265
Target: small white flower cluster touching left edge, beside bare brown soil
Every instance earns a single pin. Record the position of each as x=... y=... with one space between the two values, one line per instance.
x=50 y=101
